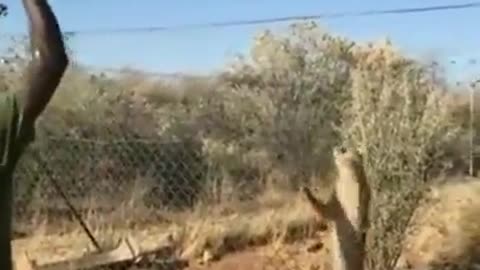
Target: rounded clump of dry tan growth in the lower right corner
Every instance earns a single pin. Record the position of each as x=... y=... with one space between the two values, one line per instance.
x=445 y=227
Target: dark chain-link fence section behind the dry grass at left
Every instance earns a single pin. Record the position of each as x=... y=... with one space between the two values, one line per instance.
x=156 y=173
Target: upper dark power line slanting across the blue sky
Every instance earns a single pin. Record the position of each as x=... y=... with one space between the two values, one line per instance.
x=233 y=23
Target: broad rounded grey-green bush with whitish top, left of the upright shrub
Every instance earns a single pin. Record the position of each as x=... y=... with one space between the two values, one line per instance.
x=274 y=109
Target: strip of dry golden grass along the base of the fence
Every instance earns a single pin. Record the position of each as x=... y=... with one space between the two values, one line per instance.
x=272 y=219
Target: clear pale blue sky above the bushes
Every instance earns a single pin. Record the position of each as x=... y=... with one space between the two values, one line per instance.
x=448 y=34
